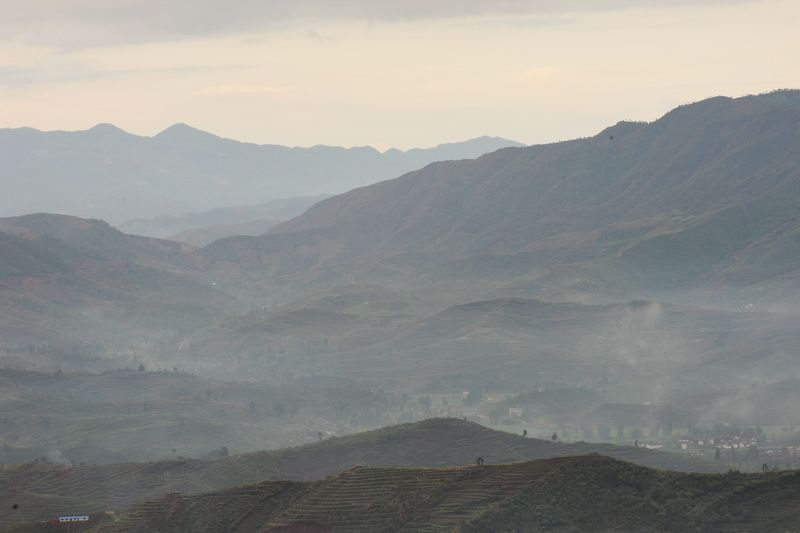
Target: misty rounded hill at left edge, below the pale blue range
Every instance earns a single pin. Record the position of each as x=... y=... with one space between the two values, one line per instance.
x=69 y=284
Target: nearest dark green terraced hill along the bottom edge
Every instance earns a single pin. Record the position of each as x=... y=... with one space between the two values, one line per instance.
x=587 y=493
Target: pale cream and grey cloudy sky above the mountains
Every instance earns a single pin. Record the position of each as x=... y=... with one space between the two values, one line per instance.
x=384 y=73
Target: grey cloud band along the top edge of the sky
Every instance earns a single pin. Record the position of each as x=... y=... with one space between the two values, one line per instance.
x=85 y=23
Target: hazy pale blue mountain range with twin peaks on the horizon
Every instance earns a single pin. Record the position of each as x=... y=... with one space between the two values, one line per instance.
x=108 y=173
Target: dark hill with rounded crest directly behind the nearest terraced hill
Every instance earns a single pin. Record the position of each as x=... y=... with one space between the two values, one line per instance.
x=44 y=491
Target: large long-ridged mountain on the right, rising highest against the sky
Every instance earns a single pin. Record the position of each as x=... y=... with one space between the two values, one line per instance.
x=705 y=197
